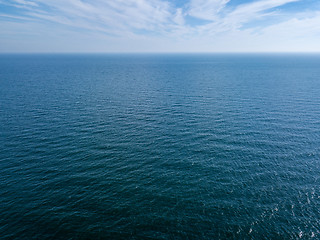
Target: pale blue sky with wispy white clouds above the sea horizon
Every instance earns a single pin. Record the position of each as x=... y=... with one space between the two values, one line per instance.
x=159 y=26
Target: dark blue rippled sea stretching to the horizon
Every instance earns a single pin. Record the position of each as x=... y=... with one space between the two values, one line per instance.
x=160 y=147
